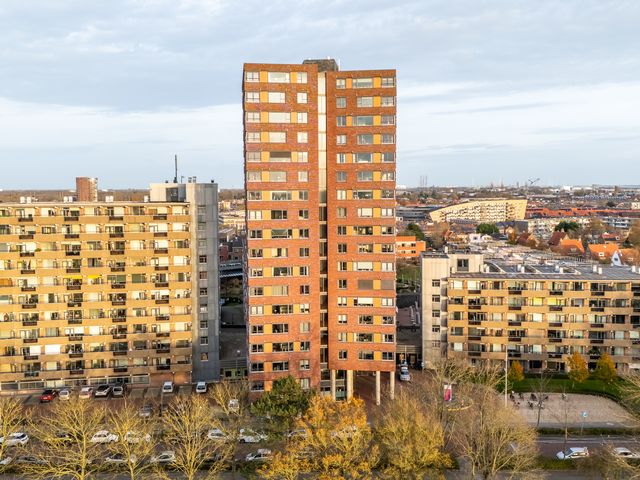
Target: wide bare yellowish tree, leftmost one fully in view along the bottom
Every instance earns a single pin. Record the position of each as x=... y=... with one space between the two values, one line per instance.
x=64 y=433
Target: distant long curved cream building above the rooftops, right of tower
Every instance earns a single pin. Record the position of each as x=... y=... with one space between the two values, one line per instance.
x=482 y=211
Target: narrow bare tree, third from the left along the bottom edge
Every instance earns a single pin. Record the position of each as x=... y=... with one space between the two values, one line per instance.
x=136 y=441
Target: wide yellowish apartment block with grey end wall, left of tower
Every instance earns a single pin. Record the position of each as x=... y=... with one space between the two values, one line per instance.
x=110 y=292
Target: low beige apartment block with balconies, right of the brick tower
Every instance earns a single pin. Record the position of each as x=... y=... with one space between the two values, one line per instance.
x=535 y=313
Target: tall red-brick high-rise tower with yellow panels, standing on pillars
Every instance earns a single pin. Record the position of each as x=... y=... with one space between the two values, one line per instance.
x=320 y=183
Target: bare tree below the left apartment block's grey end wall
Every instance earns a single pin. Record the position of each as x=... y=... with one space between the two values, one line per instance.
x=186 y=422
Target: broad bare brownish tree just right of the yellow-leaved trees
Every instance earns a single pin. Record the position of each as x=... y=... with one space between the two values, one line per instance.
x=493 y=438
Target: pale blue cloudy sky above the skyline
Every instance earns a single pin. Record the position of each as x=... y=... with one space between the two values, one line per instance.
x=487 y=90
